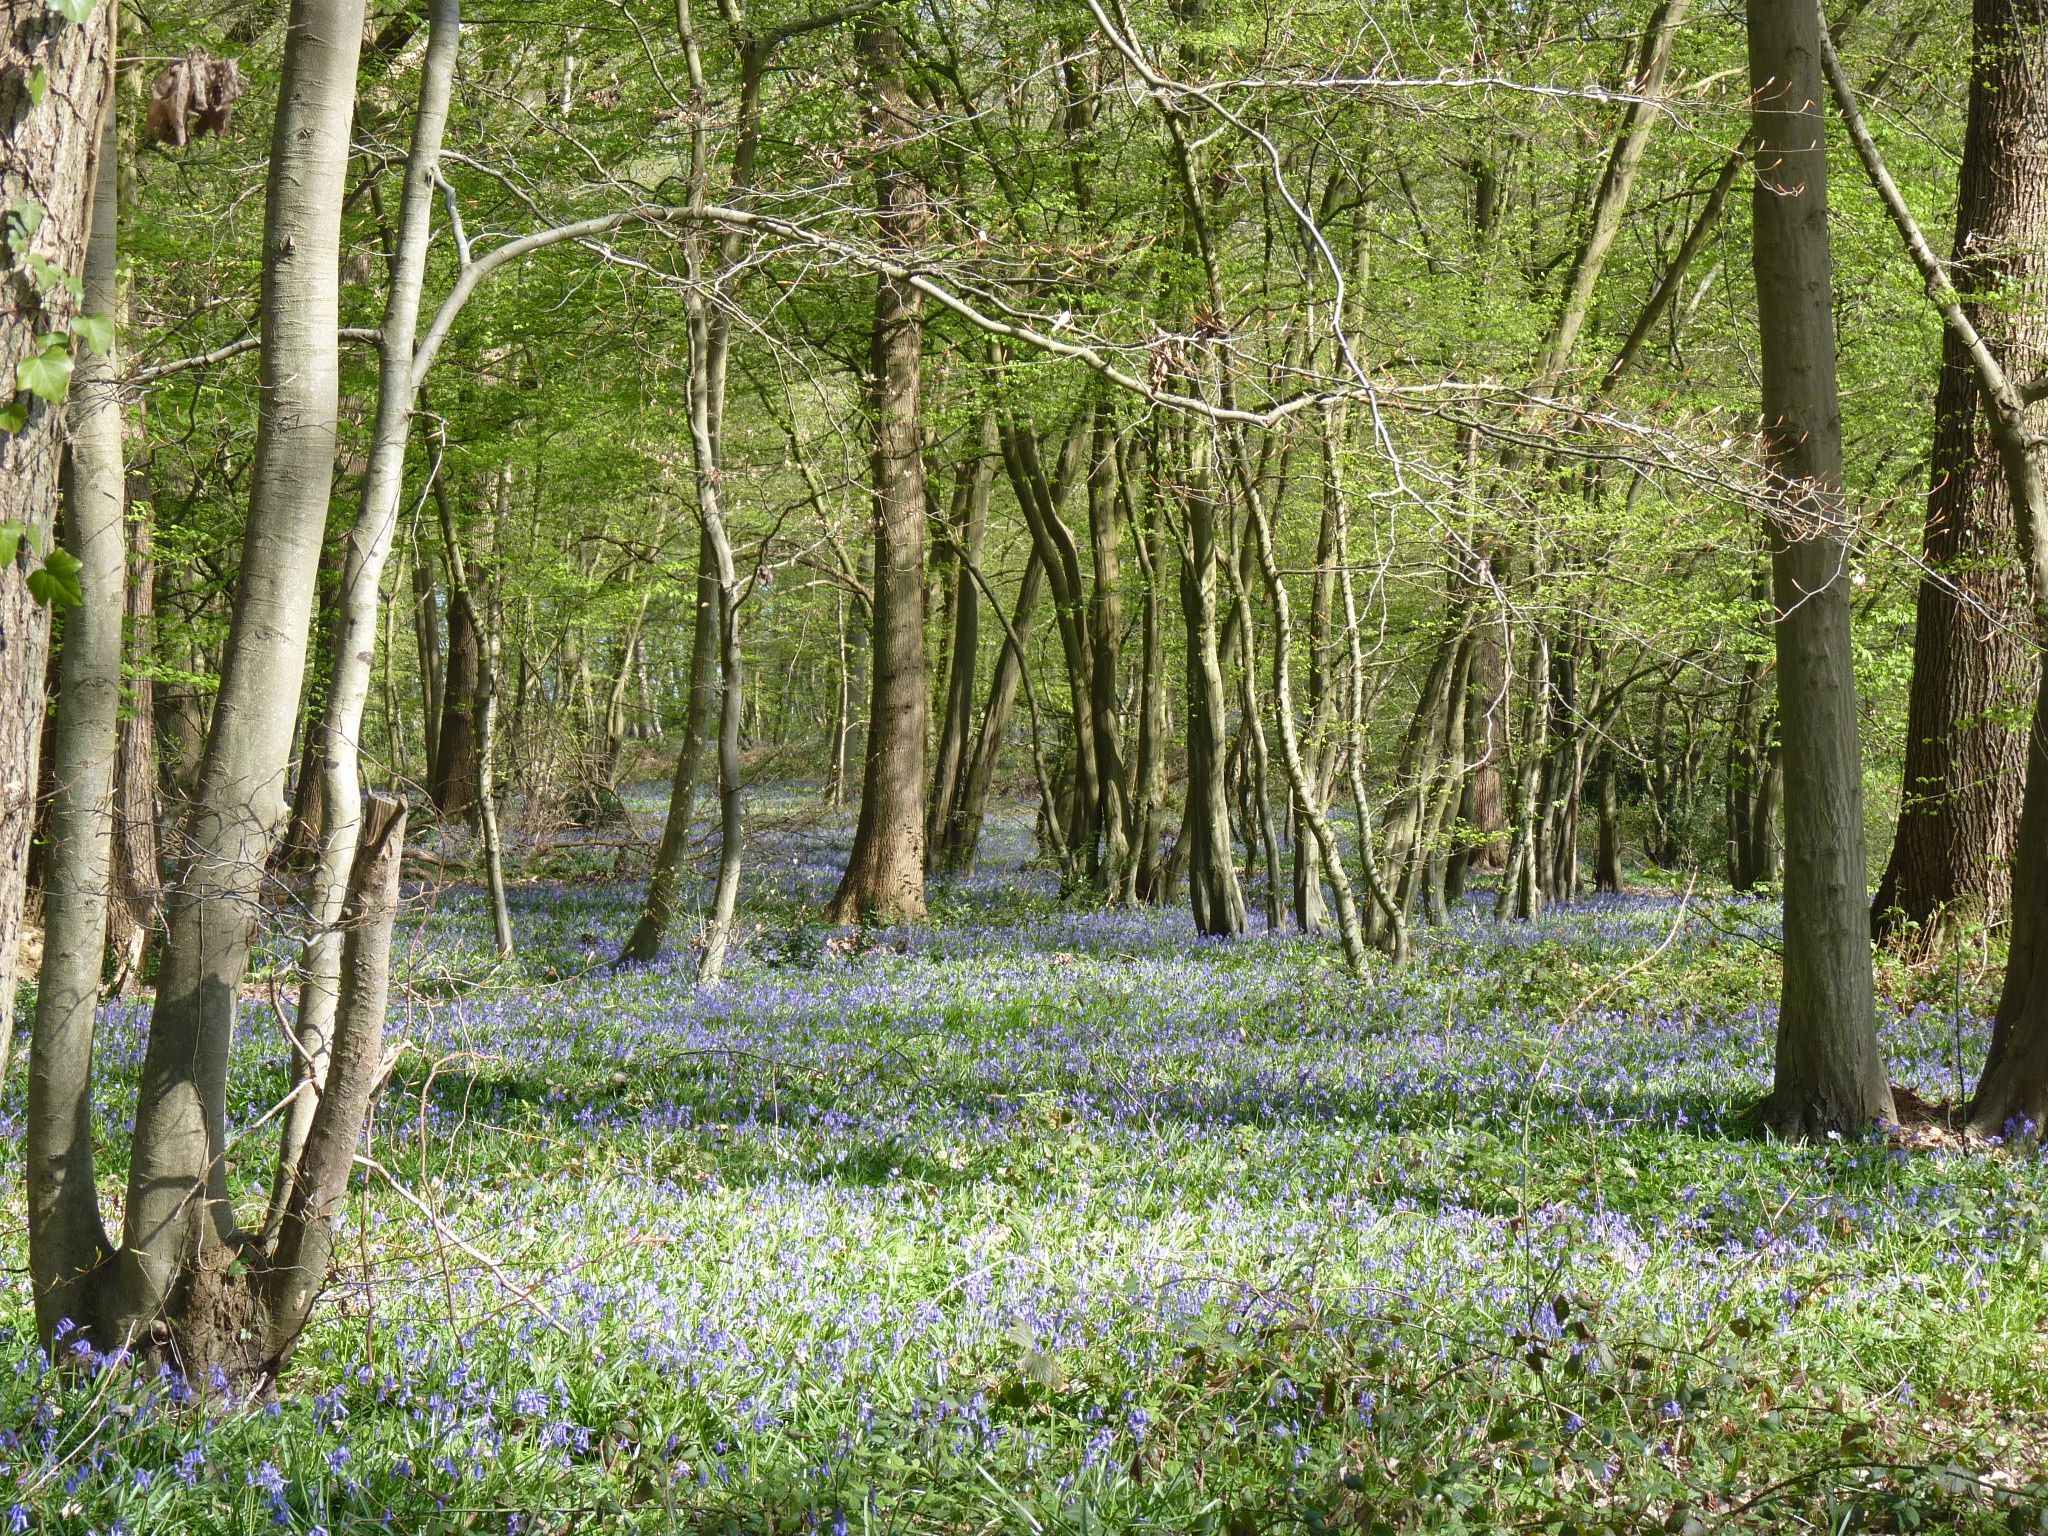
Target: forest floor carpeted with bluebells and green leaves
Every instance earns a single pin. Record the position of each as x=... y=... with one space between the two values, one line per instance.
x=1046 y=1220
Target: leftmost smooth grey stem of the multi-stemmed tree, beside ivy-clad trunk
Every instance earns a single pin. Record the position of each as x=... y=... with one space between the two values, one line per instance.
x=67 y=1234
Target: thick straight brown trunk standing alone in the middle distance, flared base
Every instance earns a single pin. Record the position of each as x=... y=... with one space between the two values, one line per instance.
x=886 y=869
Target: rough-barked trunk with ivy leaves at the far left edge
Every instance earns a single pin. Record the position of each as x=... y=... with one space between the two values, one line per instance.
x=54 y=89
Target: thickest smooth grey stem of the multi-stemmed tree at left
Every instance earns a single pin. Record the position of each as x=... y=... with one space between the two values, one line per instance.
x=177 y=1199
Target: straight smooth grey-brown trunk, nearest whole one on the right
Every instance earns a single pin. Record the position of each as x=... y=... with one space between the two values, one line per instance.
x=1828 y=1068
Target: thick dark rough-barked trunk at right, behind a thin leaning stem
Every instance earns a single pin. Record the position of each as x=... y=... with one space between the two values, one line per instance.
x=1965 y=761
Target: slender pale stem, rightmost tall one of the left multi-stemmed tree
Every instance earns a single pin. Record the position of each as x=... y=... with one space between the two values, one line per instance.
x=355 y=636
